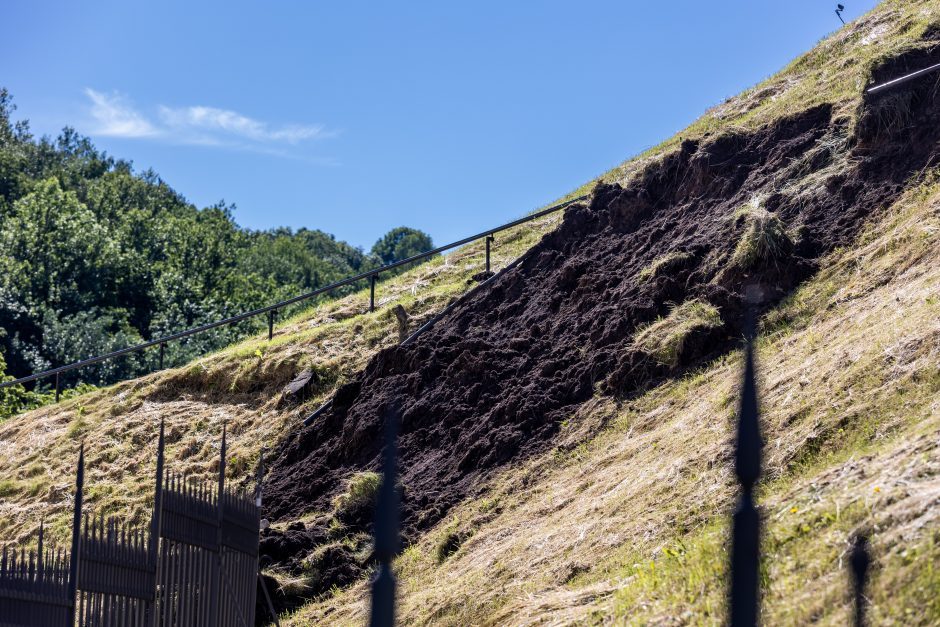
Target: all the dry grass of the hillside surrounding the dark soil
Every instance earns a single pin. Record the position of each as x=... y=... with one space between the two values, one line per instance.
x=623 y=517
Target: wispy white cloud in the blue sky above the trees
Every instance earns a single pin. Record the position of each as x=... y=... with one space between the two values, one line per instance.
x=209 y=126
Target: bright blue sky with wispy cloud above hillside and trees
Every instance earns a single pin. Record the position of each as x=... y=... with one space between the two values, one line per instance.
x=357 y=117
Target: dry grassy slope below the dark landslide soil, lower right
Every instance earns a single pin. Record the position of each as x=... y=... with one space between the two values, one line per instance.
x=629 y=526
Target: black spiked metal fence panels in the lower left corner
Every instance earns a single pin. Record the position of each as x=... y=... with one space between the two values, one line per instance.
x=196 y=564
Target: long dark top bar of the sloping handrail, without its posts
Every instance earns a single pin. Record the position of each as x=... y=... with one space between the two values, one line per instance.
x=370 y=274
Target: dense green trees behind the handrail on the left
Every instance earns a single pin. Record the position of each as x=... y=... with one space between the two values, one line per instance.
x=95 y=257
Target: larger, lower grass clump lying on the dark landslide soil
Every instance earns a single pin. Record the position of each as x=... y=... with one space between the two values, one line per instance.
x=665 y=340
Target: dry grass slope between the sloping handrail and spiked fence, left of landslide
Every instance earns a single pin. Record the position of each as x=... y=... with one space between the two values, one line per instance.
x=240 y=385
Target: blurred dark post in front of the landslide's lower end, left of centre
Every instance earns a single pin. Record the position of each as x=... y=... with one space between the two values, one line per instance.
x=386 y=529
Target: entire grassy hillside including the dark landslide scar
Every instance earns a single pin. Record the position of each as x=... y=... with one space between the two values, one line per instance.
x=567 y=426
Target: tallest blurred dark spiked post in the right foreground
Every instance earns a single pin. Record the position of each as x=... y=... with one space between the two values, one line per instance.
x=745 y=542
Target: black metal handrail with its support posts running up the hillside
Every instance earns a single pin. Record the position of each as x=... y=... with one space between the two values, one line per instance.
x=372 y=276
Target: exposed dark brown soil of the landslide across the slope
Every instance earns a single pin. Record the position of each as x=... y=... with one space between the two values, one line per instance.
x=493 y=380
